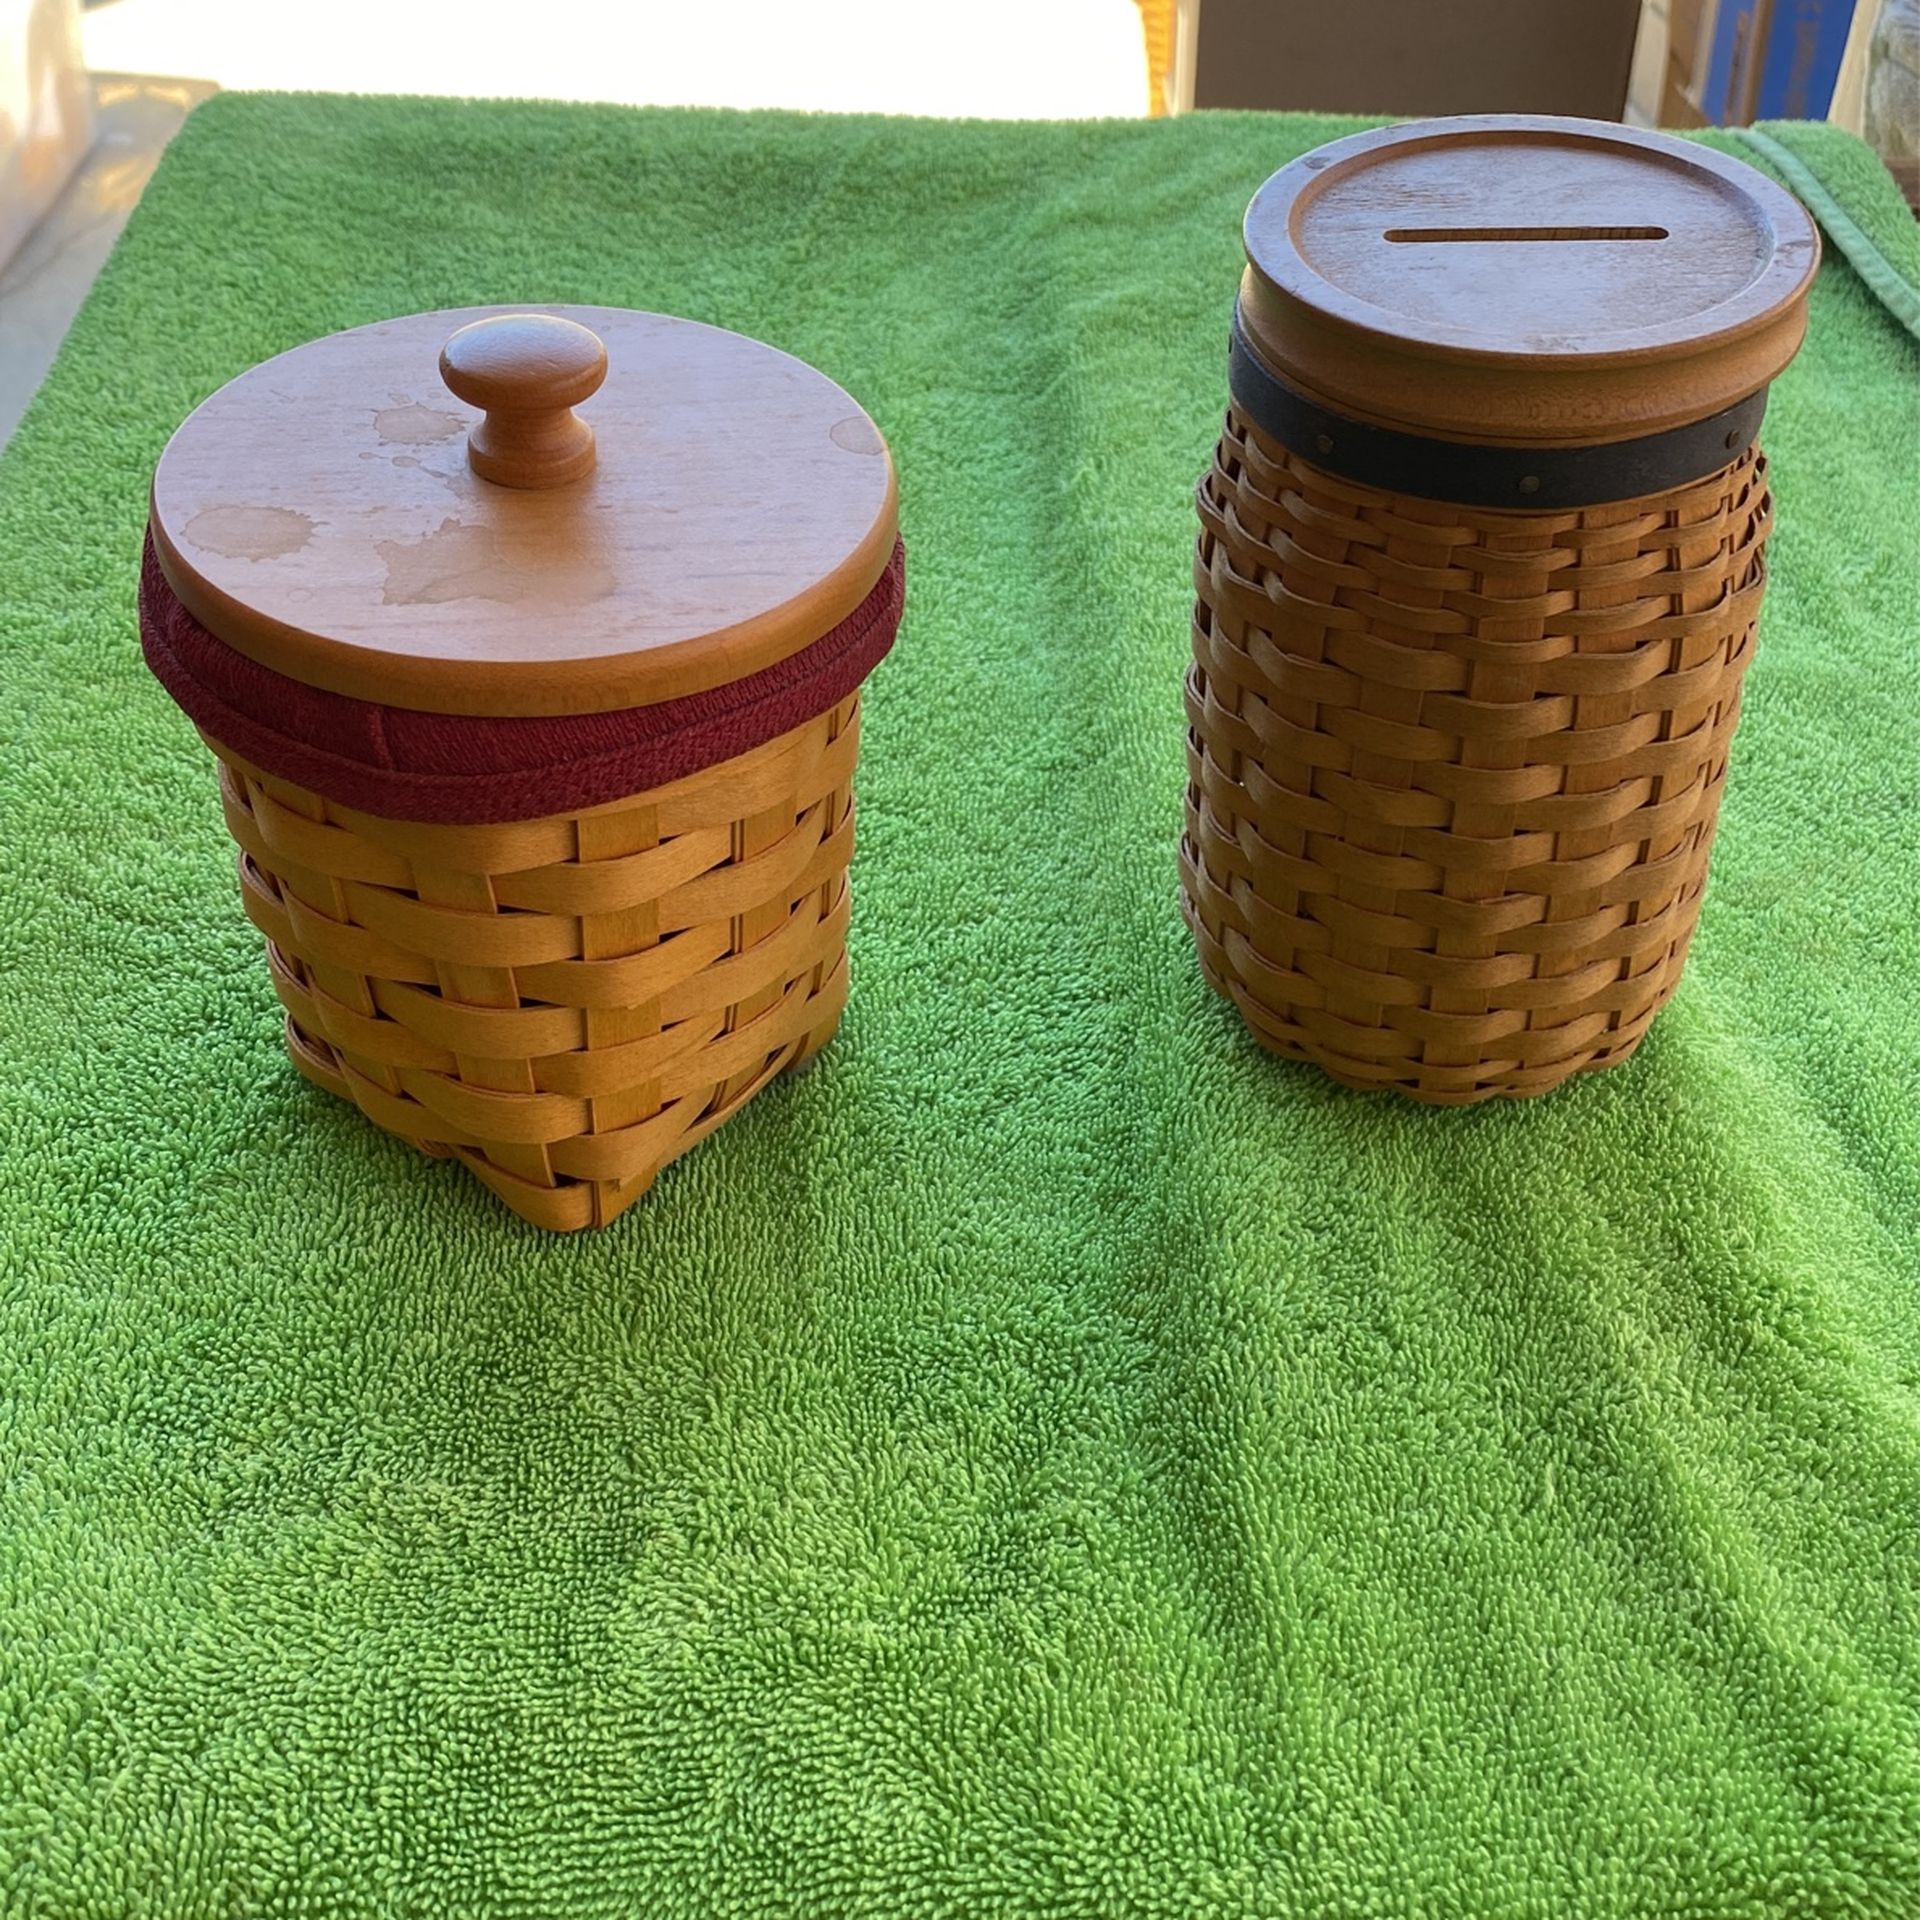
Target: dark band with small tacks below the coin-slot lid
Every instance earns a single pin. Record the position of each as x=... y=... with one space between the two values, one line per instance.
x=1476 y=475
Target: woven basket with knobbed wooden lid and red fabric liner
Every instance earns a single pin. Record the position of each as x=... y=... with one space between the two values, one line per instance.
x=537 y=729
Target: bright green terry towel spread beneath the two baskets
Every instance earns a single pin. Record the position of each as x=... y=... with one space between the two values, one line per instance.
x=1049 y=1458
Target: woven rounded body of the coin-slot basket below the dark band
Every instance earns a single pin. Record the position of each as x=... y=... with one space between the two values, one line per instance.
x=1454 y=773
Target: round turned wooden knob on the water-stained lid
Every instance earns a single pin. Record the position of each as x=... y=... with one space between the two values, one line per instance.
x=529 y=372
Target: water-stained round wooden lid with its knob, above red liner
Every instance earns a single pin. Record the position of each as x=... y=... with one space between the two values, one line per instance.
x=414 y=514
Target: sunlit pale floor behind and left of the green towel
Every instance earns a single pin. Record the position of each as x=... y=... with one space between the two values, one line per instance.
x=990 y=59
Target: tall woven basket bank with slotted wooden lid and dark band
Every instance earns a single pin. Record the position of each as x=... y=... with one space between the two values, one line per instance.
x=1479 y=567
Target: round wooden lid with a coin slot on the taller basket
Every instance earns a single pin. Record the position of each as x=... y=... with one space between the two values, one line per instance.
x=1525 y=279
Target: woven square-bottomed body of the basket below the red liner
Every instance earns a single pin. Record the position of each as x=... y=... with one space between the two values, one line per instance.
x=569 y=1003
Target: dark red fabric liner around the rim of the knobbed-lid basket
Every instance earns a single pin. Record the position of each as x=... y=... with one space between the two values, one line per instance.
x=460 y=769
